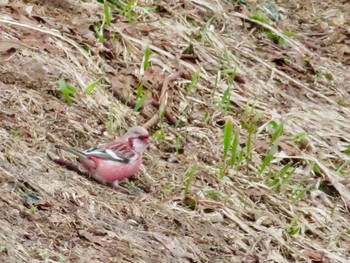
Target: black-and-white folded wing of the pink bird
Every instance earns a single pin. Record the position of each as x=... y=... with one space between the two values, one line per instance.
x=109 y=154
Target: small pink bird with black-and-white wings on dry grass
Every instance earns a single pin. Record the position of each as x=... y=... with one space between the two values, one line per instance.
x=113 y=162
